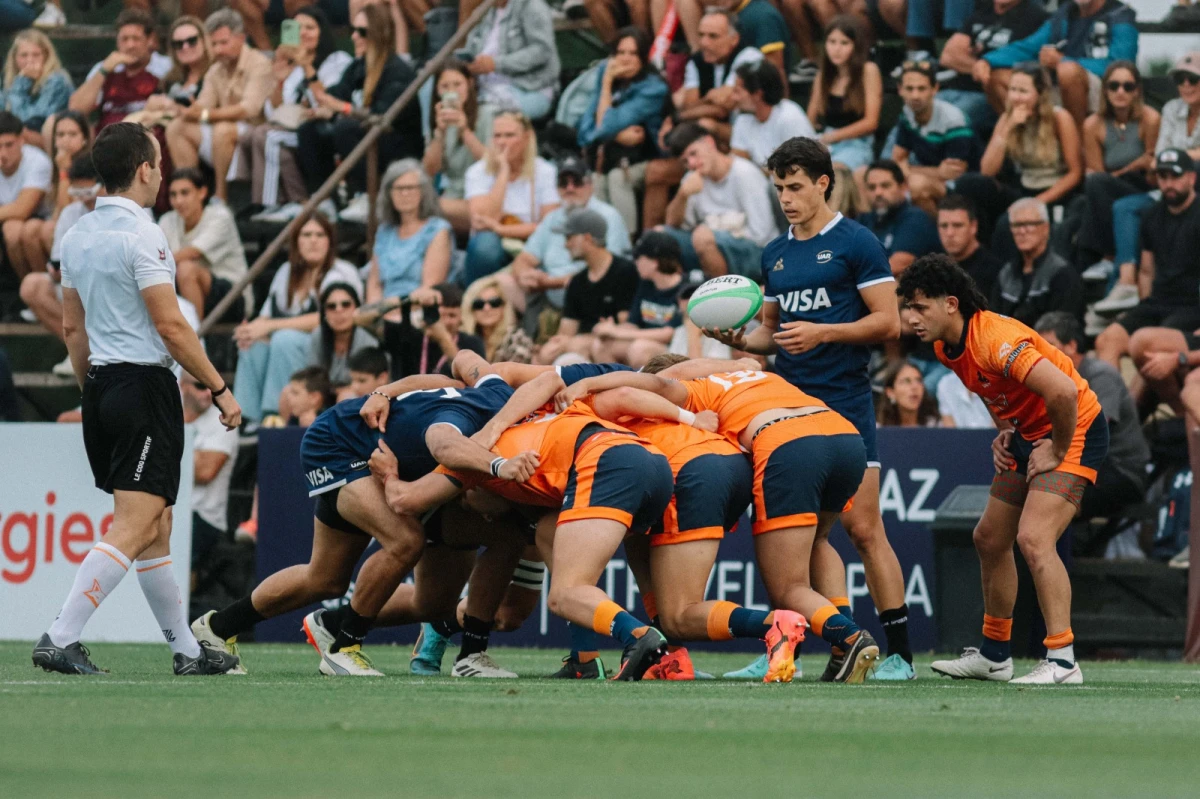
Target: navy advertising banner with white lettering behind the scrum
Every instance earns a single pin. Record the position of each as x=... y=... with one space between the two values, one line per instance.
x=921 y=467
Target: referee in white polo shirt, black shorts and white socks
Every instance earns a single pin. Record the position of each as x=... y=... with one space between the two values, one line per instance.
x=124 y=332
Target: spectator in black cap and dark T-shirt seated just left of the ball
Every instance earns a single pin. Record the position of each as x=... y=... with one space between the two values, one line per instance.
x=655 y=314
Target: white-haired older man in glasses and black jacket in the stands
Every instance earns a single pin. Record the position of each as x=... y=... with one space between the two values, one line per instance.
x=1040 y=281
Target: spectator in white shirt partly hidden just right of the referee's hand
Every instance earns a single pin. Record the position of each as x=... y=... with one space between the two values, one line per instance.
x=214 y=453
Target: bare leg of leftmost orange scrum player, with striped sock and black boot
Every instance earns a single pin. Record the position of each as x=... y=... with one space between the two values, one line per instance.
x=581 y=552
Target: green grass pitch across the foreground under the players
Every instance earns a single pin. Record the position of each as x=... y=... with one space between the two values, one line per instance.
x=285 y=731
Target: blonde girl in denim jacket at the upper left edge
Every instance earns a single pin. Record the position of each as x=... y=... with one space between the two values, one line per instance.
x=35 y=85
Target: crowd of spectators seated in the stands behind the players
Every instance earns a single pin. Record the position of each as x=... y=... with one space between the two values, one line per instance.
x=1027 y=149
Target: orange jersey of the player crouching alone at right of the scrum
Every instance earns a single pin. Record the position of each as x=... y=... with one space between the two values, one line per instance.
x=998 y=358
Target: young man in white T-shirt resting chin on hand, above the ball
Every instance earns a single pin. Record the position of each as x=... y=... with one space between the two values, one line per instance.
x=723 y=215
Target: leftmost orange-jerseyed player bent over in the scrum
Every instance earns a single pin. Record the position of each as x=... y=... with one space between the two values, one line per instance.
x=607 y=483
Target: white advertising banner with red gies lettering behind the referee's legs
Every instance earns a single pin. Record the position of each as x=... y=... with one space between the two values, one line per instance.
x=51 y=516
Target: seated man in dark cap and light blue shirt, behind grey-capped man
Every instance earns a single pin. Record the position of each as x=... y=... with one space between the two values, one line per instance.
x=544 y=267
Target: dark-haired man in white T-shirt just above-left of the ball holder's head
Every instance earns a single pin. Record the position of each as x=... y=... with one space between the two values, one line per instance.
x=767 y=118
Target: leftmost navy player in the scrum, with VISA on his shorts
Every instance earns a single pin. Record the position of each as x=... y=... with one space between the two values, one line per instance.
x=427 y=418
